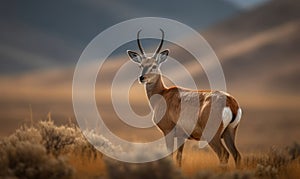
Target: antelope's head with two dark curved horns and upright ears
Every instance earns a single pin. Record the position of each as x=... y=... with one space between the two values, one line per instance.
x=149 y=65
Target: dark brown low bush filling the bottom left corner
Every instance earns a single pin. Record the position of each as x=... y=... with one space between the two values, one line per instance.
x=28 y=159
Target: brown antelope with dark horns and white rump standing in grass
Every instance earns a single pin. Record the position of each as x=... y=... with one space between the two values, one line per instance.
x=230 y=113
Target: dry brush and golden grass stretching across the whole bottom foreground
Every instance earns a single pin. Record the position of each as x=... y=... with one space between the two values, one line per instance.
x=45 y=150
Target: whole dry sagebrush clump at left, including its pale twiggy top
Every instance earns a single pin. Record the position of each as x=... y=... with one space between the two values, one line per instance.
x=41 y=151
